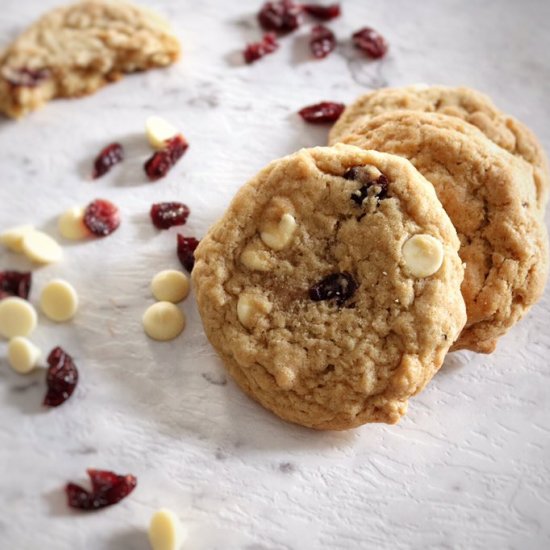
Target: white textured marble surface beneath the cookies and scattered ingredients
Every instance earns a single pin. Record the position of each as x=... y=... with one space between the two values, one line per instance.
x=468 y=468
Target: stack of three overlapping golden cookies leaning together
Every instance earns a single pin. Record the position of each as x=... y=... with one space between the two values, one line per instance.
x=340 y=277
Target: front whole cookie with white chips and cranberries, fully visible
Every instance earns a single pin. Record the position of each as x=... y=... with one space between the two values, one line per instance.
x=331 y=286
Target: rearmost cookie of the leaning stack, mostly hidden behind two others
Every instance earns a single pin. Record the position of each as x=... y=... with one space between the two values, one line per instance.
x=465 y=103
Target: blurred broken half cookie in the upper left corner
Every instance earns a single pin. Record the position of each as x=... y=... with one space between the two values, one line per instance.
x=74 y=50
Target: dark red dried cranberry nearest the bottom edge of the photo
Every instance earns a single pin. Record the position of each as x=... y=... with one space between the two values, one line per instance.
x=108 y=488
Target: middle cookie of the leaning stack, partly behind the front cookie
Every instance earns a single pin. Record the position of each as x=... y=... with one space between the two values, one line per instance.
x=489 y=196
